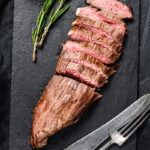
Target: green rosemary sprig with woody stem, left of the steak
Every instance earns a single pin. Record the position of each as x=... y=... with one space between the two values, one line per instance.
x=42 y=29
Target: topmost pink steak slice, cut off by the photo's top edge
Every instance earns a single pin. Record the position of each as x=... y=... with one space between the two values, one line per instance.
x=113 y=6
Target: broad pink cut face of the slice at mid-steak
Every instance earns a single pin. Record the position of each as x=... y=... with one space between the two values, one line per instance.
x=75 y=46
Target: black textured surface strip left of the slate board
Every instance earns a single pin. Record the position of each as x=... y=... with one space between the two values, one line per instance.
x=6 y=30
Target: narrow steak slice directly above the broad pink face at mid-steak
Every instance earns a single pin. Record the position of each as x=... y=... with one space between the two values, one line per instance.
x=81 y=34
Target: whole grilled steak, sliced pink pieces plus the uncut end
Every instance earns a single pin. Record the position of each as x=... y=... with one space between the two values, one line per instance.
x=96 y=40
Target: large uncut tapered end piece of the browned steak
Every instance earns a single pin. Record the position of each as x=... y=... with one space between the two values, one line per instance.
x=57 y=110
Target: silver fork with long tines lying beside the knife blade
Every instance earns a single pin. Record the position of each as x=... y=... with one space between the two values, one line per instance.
x=120 y=136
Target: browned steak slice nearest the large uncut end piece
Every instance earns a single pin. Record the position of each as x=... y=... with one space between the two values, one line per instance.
x=80 y=72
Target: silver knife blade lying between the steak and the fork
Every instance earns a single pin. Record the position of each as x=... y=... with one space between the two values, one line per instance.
x=97 y=137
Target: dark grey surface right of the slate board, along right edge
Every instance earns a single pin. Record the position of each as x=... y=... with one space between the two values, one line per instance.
x=144 y=71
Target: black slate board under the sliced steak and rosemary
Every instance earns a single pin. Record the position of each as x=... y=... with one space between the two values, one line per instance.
x=29 y=79
